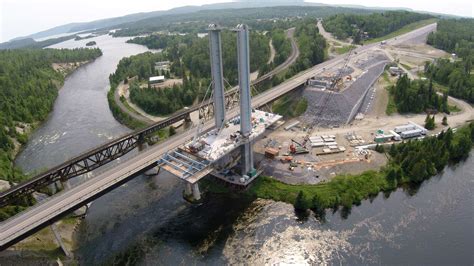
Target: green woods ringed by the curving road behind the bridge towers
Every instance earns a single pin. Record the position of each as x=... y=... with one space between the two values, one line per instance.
x=189 y=57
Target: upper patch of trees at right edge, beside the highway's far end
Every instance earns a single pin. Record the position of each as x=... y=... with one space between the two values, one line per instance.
x=454 y=36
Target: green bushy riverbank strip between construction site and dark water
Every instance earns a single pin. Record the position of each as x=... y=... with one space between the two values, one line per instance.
x=401 y=171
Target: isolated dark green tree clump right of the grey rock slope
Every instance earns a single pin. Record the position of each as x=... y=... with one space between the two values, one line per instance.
x=417 y=96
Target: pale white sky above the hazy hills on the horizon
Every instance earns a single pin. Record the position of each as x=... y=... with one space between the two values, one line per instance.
x=24 y=17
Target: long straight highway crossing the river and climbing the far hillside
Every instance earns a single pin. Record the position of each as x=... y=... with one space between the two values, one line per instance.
x=42 y=214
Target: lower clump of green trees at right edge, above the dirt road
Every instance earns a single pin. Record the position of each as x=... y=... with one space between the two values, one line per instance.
x=456 y=76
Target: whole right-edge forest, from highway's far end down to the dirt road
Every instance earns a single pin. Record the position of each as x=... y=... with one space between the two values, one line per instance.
x=454 y=36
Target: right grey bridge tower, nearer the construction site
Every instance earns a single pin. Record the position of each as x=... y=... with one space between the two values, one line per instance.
x=245 y=104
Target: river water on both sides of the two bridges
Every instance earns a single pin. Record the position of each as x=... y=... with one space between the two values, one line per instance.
x=147 y=222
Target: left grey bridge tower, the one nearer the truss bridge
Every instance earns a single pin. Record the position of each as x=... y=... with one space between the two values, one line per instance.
x=217 y=74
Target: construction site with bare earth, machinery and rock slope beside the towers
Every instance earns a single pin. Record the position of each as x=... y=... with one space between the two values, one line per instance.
x=345 y=119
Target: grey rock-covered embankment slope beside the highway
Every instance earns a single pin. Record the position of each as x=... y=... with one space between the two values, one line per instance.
x=327 y=109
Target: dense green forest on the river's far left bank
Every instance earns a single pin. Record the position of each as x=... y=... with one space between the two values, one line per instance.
x=28 y=88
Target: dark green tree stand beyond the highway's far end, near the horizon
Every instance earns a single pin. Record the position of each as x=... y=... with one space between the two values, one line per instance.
x=376 y=25
